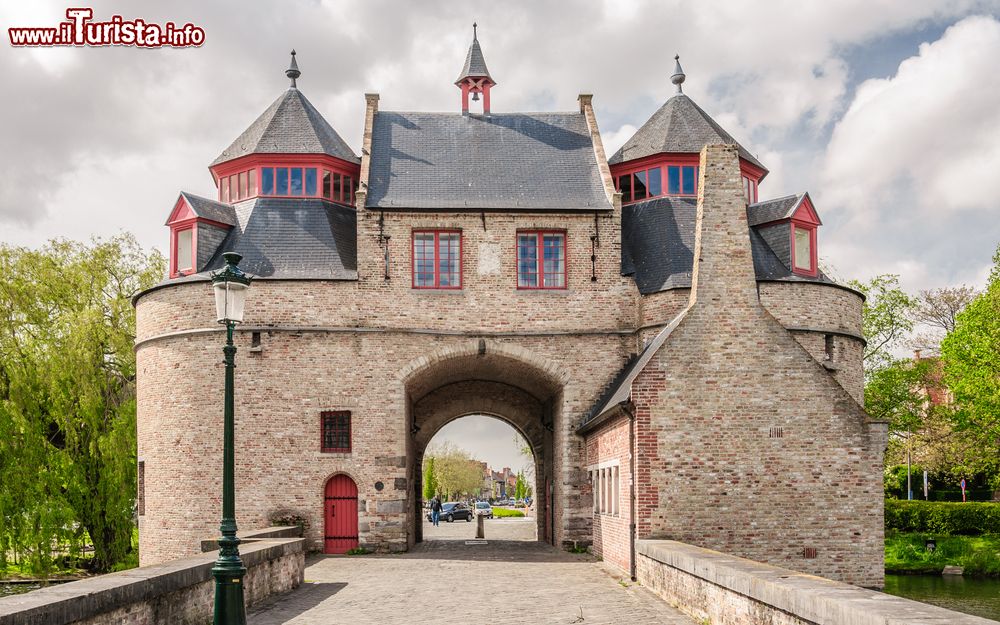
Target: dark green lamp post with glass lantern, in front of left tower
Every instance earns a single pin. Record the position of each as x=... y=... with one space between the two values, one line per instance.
x=230 y=285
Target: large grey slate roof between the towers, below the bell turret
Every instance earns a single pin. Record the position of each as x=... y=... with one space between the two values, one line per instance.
x=503 y=161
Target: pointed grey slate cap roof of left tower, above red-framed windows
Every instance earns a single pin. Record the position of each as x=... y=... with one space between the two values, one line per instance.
x=291 y=125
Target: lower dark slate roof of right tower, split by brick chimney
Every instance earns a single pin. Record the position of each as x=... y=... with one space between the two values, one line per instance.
x=658 y=247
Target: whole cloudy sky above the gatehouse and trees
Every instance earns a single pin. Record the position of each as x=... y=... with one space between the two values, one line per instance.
x=887 y=112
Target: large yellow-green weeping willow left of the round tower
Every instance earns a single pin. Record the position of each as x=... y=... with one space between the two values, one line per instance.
x=67 y=397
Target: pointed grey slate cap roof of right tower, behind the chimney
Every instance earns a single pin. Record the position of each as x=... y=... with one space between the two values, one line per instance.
x=679 y=125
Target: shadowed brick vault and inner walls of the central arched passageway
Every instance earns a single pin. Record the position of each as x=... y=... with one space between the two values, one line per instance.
x=507 y=386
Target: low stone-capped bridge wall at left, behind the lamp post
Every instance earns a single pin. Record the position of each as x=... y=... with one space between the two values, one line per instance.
x=180 y=592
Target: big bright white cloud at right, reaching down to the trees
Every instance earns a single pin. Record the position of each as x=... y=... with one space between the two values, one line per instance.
x=910 y=174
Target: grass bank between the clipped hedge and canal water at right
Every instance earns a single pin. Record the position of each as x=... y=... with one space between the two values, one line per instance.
x=905 y=553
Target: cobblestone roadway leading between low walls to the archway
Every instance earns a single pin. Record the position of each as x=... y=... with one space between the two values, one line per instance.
x=450 y=581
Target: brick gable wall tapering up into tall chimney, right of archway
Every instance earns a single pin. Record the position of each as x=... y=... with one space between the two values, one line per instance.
x=745 y=443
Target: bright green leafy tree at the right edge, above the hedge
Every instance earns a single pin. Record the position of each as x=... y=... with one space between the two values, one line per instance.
x=971 y=355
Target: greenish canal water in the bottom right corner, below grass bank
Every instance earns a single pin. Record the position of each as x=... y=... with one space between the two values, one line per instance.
x=972 y=595
